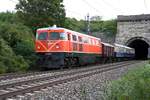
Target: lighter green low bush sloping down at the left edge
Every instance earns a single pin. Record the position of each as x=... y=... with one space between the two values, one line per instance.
x=9 y=61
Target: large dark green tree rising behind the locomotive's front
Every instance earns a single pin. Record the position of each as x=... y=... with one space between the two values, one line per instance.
x=41 y=13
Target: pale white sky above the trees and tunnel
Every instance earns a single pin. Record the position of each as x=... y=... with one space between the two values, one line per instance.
x=107 y=9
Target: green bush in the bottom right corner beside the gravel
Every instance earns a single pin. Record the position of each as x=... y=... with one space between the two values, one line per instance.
x=135 y=85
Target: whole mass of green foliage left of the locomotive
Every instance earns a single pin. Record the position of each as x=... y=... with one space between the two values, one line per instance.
x=16 y=43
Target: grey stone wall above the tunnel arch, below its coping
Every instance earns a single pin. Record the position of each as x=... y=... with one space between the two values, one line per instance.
x=127 y=30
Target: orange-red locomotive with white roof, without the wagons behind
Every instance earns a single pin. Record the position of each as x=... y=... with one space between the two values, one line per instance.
x=59 y=47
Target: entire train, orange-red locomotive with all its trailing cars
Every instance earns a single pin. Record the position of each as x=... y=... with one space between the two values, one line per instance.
x=59 y=47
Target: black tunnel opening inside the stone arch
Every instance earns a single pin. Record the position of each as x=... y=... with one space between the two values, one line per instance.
x=141 y=49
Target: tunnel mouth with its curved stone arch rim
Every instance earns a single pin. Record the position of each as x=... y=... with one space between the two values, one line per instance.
x=141 y=46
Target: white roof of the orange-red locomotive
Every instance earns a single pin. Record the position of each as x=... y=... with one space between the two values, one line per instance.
x=60 y=28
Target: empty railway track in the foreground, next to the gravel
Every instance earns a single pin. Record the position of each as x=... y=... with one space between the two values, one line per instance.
x=29 y=84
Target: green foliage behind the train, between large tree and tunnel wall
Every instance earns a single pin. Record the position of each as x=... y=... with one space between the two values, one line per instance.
x=108 y=27
